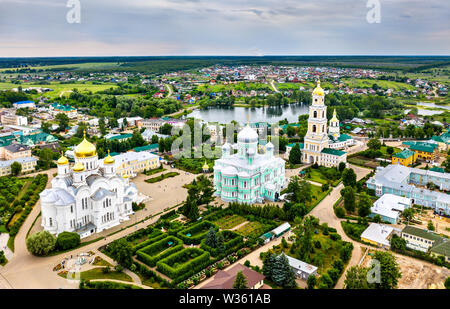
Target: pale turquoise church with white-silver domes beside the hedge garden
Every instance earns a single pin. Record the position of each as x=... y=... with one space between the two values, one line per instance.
x=247 y=176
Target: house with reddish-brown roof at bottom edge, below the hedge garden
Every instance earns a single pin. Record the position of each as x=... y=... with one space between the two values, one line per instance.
x=224 y=279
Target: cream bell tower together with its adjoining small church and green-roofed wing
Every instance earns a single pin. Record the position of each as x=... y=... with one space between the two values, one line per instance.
x=321 y=144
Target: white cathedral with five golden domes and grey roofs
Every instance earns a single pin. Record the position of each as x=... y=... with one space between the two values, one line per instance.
x=86 y=197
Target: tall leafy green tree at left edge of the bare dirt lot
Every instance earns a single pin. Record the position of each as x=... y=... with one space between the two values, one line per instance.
x=389 y=270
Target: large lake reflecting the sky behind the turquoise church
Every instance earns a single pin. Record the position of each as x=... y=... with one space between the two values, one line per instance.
x=257 y=114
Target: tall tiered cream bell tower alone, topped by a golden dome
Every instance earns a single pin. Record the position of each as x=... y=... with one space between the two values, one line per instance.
x=316 y=137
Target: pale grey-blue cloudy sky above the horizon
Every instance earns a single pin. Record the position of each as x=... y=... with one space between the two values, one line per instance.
x=223 y=27
